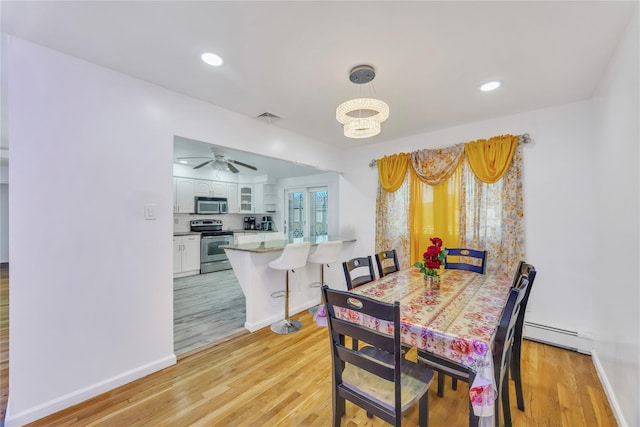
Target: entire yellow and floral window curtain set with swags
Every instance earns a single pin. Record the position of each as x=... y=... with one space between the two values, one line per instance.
x=470 y=195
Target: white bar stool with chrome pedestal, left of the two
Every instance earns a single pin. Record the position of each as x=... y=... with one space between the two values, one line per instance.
x=294 y=255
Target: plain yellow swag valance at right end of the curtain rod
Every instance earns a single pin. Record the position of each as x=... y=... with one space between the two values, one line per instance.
x=490 y=159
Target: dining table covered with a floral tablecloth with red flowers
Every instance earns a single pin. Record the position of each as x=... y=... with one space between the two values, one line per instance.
x=458 y=321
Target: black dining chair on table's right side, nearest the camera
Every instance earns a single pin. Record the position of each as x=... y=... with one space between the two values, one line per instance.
x=501 y=358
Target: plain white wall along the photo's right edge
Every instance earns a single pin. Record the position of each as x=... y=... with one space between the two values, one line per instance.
x=617 y=194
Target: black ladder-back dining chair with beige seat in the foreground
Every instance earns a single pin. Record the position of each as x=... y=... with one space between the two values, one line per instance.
x=377 y=377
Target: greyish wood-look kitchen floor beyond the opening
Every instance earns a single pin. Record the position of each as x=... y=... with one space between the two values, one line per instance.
x=206 y=308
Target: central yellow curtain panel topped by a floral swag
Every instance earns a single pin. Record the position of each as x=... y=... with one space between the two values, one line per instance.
x=434 y=198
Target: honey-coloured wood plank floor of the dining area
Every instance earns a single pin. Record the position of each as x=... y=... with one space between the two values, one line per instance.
x=265 y=379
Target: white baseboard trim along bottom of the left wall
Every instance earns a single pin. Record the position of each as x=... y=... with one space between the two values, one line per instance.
x=78 y=396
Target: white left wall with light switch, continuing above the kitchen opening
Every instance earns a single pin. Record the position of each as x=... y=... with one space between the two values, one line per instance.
x=91 y=289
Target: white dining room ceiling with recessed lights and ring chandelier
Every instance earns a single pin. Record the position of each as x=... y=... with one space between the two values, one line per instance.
x=292 y=59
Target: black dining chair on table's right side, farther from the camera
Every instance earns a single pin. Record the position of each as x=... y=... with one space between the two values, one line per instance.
x=528 y=272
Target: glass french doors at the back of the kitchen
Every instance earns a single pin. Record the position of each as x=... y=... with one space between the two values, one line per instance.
x=307 y=212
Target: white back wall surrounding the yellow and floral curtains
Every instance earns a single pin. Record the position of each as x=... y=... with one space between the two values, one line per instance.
x=558 y=203
